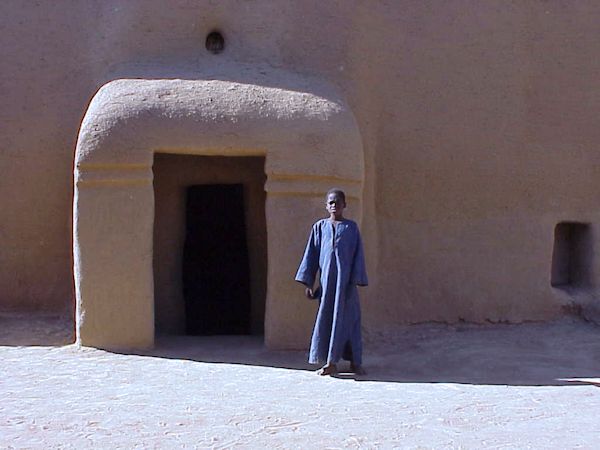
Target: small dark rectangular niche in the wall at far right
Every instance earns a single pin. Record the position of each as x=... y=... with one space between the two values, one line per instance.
x=572 y=256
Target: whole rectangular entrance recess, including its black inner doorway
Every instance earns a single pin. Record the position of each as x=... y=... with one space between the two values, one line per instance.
x=207 y=210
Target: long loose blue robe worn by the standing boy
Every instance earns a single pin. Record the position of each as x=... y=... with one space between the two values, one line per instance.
x=338 y=254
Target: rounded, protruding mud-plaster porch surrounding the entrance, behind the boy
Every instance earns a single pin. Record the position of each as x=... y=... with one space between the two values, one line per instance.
x=309 y=141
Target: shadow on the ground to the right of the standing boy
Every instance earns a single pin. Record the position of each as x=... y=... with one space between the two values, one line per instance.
x=530 y=354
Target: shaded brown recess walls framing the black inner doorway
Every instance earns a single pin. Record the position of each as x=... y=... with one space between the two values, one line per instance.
x=173 y=175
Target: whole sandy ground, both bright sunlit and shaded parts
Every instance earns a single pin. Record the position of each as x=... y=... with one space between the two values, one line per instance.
x=428 y=386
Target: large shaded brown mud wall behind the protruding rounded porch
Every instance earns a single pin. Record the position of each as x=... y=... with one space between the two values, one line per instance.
x=478 y=122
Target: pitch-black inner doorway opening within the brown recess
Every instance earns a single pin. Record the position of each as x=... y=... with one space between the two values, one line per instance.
x=216 y=279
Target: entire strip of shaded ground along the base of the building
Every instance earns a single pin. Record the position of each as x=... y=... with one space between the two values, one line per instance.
x=529 y=354
